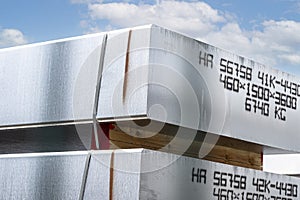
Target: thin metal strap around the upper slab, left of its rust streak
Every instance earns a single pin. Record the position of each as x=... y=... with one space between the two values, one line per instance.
x=100 y=69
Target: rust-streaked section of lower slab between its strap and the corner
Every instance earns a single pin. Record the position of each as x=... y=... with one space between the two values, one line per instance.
x=114 y=175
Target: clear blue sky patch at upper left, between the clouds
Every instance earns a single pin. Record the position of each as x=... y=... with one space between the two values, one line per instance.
x=41 y=20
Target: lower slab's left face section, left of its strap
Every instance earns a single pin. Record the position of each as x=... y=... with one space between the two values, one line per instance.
x=41 y=176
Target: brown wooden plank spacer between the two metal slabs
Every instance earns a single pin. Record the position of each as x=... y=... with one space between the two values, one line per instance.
x=225 y=150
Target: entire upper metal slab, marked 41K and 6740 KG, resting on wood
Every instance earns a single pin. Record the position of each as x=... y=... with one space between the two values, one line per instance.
x=149 y=73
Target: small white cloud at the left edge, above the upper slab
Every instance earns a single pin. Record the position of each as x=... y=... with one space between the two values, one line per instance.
x=11 y=37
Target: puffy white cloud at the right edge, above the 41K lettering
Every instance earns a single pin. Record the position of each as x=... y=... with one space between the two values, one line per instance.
x=277 y=44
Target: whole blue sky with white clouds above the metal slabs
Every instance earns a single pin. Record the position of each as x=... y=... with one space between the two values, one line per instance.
x=267 y=31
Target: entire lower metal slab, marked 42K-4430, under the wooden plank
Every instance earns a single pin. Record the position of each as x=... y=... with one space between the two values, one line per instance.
x=135 y=174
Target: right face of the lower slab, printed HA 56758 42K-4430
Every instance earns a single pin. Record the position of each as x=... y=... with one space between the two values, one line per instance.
x=188 y=178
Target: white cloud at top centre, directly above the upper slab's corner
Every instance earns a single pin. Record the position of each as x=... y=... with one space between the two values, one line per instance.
x=187 y=17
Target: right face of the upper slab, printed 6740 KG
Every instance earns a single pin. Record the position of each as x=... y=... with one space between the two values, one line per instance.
x=202 y=87
